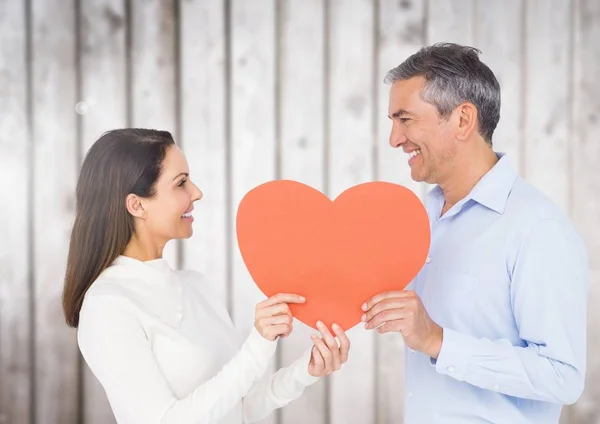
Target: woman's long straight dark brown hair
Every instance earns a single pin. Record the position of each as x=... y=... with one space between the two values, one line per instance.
x=120 y=162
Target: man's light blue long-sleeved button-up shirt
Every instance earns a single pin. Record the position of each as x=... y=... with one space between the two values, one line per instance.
x=507 y=280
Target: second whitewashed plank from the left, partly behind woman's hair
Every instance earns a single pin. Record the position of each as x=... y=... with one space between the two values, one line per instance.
x=55 y=161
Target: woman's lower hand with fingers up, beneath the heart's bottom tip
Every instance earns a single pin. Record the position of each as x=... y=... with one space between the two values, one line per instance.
x=328 y=354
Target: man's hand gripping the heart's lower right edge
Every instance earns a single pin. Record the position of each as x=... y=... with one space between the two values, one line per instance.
x=404 y=312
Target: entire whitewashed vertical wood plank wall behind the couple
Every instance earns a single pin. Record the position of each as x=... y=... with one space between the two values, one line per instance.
x=253 y=91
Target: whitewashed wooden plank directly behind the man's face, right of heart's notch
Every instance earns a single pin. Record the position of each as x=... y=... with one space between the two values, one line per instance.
x=402 y=33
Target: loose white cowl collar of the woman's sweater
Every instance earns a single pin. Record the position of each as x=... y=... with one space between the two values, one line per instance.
x=153 y=285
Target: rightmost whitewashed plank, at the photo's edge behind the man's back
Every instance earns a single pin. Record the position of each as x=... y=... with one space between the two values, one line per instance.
x=586 y=185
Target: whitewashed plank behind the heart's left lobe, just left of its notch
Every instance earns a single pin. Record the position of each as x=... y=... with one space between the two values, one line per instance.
x=301 y=126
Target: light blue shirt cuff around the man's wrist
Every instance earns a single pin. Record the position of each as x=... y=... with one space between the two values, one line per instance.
x=455 y=354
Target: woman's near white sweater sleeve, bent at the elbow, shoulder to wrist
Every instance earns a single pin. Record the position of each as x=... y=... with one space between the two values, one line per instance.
x=115 y=347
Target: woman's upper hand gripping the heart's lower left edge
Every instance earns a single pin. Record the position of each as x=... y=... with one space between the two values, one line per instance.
x=273 y=317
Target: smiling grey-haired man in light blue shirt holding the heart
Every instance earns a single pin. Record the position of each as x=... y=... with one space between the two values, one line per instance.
x=495 y=321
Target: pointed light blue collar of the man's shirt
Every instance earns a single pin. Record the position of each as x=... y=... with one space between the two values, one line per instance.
x=493 y=188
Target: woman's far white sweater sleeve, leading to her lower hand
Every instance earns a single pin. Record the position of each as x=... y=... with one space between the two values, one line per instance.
x=278 y=390
